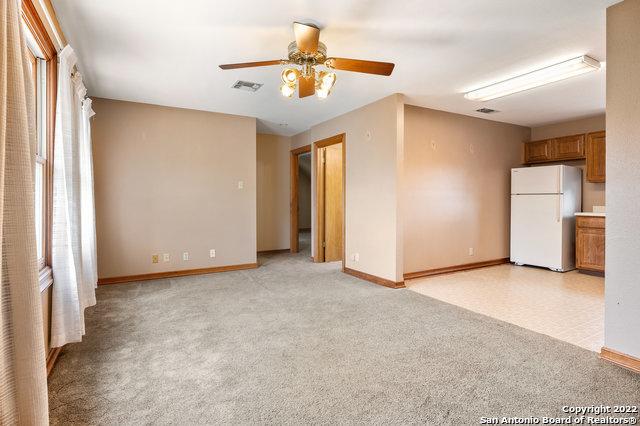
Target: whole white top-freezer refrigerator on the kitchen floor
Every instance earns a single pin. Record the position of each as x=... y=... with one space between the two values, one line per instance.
x=543 y=202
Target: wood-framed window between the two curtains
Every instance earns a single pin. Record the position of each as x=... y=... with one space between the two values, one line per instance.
x=44 y=72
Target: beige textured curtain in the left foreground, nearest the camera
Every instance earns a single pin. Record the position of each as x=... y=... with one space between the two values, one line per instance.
x=23 y=385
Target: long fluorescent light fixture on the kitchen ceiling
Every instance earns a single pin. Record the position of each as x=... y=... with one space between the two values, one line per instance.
x=550 y=74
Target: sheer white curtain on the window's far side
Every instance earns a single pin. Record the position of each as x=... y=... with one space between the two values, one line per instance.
x=73 y=245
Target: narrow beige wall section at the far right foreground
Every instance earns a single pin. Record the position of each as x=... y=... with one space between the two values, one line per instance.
x=622 y=289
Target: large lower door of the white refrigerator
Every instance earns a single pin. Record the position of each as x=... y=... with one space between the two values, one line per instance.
x=536 y=230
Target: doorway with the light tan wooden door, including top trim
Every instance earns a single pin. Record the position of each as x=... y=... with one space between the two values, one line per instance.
x=330 y=190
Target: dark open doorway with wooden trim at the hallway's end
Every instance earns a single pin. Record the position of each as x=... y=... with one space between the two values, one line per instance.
x=300 y=199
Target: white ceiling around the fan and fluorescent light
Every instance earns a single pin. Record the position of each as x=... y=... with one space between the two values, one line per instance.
x=167 y=52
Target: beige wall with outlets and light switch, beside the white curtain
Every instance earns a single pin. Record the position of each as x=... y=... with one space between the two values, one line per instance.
x=166 y=181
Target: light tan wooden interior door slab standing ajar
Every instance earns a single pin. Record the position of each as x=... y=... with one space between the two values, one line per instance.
x=333 y=202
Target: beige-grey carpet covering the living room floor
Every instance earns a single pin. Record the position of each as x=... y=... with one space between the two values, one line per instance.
x=295 y=342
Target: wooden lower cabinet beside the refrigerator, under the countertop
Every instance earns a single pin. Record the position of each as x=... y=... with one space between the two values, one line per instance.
x=590 y=243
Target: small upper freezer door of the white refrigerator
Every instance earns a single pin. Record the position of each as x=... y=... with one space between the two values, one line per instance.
x=536 y=180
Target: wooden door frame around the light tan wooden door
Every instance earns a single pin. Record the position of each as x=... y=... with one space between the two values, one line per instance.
x=319 y=180
